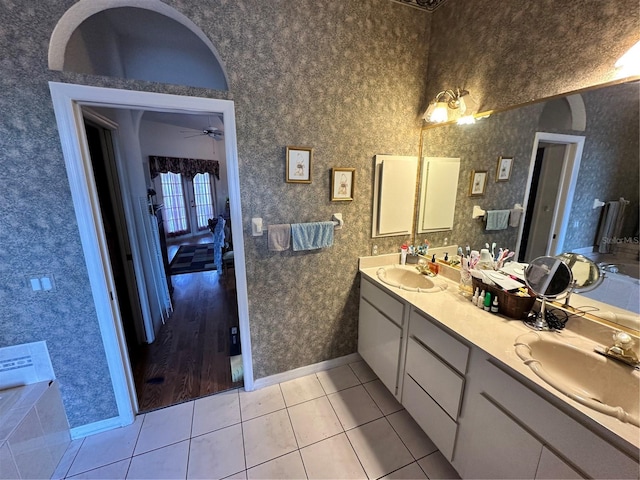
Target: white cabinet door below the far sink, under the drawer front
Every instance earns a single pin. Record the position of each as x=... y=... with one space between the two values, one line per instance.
x=379 y=344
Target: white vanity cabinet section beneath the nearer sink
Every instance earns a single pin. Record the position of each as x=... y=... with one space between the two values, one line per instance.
x=509 y=431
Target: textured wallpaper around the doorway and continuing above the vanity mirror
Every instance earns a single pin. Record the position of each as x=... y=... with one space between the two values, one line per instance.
x=348 y=79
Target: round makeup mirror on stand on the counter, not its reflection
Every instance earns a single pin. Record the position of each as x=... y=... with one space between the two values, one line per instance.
x=548 y=278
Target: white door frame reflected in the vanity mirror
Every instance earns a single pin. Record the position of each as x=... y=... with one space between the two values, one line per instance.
x=566 y=190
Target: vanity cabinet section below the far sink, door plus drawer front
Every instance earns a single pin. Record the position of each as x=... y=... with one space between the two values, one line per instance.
x=380 y=333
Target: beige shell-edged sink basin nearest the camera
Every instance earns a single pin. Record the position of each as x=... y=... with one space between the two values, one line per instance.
x=572 y=367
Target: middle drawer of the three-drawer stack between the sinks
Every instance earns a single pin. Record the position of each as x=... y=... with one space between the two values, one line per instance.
x=439 y=380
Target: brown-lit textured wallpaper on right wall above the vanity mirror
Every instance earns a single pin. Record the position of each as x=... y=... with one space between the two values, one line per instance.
x=509 y=52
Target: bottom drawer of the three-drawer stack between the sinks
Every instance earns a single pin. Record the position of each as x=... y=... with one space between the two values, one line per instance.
x=431 y=418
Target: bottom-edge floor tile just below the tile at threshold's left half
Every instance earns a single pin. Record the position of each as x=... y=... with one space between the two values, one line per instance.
x=167 y=462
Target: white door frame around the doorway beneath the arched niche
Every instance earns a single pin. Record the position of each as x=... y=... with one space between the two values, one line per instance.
x=68 y=101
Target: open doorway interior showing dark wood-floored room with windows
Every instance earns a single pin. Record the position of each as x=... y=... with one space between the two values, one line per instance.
x=194 y=344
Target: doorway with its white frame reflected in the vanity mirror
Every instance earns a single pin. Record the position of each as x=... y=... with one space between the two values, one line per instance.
x=553 y=173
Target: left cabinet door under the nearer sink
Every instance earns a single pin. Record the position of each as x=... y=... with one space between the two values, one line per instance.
x=499 y=448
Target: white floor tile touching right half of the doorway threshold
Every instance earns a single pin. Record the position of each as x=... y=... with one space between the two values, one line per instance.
x=215 y=412
